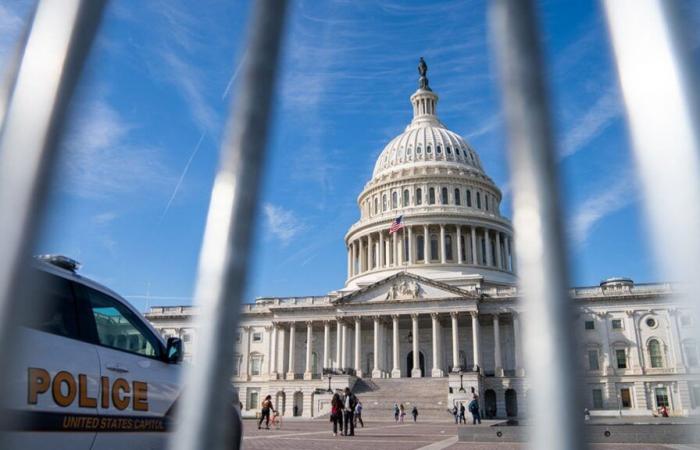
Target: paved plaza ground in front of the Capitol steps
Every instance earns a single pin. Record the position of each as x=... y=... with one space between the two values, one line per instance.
x=317 y=434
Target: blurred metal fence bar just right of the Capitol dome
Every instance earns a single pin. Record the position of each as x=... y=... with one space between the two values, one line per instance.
x=554 y=389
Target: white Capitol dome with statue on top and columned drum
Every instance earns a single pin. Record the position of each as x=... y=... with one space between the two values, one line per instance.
x=432 y=182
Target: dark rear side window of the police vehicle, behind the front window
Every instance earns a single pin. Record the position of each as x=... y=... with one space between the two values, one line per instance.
x=59 y=314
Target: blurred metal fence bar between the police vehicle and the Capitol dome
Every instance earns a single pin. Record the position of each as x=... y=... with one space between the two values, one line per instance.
x=205 y=410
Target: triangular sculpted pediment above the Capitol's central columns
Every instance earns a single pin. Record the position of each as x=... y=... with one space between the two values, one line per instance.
x=404 y=286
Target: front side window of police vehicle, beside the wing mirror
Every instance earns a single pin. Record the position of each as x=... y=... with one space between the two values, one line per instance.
x=119 y=328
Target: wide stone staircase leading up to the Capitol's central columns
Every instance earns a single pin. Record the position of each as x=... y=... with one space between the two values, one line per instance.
x=379 y=395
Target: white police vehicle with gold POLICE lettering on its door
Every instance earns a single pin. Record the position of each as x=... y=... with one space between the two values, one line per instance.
x=93 y=373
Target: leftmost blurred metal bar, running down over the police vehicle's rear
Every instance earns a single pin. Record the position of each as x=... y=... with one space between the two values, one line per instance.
x=56 y=48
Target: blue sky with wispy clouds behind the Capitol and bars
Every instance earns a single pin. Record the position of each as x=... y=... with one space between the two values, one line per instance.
x=137 y=166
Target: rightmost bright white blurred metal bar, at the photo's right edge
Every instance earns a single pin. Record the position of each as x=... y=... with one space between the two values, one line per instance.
x=659 y=82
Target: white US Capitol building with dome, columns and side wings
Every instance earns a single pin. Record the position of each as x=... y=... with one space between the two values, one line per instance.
x=435 y=304
